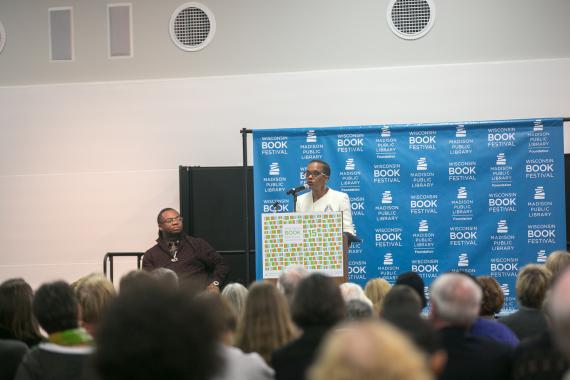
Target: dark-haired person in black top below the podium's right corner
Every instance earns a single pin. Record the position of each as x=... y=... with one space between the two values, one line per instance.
x=317 y=307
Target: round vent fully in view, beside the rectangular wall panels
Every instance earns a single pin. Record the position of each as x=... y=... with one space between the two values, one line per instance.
x=192 y=26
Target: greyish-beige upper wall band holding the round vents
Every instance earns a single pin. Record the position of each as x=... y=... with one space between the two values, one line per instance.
x=268 y=36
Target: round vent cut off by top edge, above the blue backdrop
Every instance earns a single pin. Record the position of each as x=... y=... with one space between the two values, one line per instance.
x=410 y=19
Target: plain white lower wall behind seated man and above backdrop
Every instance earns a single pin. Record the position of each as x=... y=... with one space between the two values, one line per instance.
x=85 y=167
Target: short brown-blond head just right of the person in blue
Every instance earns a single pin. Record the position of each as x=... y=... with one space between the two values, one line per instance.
x=532 y=283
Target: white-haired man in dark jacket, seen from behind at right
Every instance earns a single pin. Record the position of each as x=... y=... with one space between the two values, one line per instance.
x=455 y=301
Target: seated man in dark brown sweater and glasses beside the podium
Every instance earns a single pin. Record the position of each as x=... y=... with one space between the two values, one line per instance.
x=191 y=258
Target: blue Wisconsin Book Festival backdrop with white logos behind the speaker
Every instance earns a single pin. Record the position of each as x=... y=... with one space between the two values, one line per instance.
x=485 y=198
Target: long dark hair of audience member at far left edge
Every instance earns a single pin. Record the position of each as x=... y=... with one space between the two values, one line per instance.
x=16 y=313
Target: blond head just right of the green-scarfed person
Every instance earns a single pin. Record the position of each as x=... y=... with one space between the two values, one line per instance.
x=94 y=294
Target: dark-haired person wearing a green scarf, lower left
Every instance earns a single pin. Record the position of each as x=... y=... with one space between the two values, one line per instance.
x=67 y=352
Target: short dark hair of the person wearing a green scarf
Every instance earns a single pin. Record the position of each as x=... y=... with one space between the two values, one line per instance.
x=55 y=307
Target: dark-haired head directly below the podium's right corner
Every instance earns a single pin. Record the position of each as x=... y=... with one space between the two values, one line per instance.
x=317 y=302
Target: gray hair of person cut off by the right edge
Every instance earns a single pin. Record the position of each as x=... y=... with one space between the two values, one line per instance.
x=559 y=311
